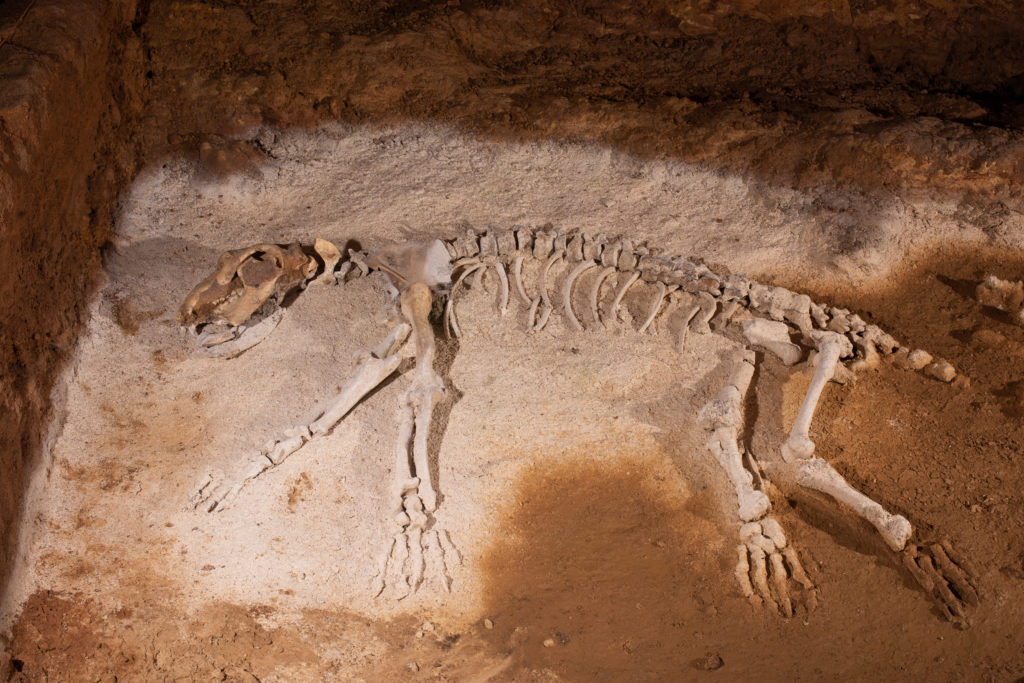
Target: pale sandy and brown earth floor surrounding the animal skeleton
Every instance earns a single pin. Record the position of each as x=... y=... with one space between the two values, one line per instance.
x=596 y=532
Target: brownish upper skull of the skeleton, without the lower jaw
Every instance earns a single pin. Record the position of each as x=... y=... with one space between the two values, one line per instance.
x=245 y=279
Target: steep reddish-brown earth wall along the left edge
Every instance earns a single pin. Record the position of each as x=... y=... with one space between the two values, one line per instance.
x=68 y=105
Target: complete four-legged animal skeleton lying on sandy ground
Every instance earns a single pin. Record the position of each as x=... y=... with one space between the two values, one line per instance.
x=254 y=282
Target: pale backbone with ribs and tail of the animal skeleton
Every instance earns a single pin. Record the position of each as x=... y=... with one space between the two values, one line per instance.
x=714 y=297
